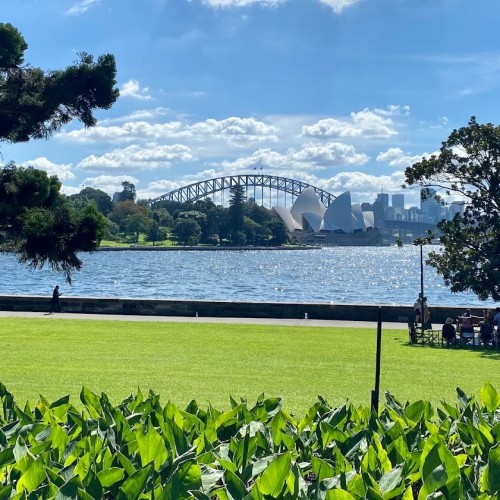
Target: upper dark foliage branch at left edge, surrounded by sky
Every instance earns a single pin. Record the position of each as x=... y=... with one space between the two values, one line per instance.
x=34 y=103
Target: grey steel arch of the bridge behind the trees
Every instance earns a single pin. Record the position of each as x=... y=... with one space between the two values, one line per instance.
x=269 y=183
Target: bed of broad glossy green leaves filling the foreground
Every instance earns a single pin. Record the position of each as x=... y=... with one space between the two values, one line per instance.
x=141 y=449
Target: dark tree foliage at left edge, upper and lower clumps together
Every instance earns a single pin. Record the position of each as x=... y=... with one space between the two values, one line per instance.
x=36 y=222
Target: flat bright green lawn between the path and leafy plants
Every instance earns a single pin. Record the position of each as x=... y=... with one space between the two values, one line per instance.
x=210 y=362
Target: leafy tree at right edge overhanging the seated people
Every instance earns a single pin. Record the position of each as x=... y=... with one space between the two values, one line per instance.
x=468 y=165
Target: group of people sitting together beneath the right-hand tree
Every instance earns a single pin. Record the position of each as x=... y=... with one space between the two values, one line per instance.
x=466 y=322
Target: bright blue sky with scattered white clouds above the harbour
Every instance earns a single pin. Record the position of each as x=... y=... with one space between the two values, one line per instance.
x=341 y=94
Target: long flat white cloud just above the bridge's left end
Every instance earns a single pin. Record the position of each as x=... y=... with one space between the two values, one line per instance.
x=136 y=157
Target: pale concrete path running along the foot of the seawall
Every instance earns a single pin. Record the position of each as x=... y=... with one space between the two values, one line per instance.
x=186 y=319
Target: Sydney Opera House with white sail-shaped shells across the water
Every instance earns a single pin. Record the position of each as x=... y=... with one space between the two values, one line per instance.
x=342 y=223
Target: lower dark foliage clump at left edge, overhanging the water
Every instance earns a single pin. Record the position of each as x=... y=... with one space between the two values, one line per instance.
x=41 y=225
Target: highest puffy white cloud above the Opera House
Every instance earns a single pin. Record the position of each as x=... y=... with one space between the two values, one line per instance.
x=366 y=123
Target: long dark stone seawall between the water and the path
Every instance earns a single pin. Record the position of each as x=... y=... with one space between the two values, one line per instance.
x=226 y=309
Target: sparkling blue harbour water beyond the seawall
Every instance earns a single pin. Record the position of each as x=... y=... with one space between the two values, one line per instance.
x=354 y=275
